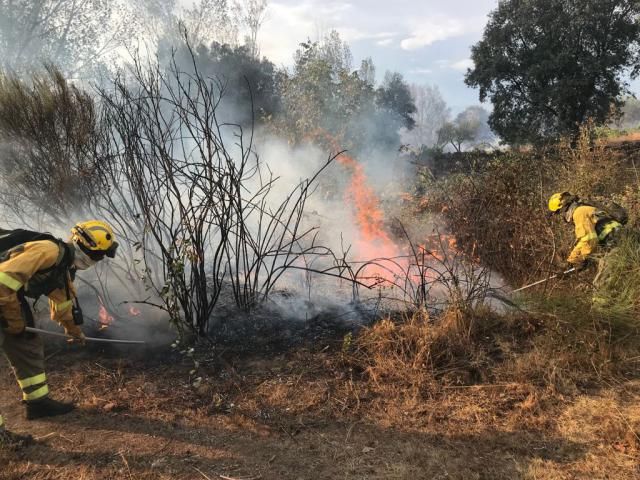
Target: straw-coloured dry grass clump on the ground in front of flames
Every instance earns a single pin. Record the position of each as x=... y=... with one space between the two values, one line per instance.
x=416 y=356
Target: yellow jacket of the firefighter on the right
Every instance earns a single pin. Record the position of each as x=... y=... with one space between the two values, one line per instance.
x=585 y=218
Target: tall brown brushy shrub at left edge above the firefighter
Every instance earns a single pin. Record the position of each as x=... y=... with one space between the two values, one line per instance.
x=47 y=140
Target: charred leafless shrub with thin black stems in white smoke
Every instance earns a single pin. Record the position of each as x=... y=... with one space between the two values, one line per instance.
x=204 y=197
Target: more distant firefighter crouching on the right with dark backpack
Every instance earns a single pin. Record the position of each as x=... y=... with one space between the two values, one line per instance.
x=596 y=227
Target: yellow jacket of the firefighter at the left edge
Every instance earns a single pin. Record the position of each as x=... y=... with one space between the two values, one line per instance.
x=23 y=263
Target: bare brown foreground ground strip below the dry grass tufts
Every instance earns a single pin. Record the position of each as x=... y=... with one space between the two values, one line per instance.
x=301 y=413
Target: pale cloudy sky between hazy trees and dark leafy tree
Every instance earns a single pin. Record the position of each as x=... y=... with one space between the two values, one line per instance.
x=428 y=41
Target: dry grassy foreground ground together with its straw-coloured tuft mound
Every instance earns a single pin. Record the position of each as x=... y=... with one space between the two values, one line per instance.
x=305 y=414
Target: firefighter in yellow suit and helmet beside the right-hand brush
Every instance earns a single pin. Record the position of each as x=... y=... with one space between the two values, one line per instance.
x=592 y=226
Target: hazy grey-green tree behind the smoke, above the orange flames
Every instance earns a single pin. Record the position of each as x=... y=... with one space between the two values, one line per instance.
x=322 y=93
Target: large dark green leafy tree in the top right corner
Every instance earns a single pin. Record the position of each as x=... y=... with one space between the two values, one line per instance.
x=547 y=65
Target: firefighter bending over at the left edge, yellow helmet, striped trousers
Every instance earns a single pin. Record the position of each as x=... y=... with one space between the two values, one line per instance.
x=34 y=264
